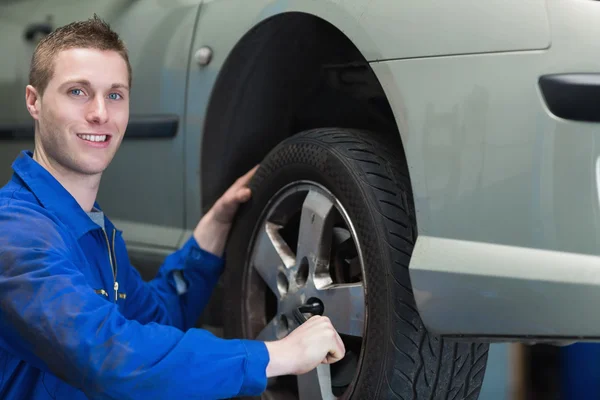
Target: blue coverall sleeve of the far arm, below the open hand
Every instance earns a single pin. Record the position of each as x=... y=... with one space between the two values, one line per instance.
x=160 y=301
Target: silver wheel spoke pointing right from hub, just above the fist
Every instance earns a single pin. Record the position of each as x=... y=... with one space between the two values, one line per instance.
x=345 y=307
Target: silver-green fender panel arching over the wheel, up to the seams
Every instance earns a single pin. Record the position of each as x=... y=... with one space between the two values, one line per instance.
x=374 y=29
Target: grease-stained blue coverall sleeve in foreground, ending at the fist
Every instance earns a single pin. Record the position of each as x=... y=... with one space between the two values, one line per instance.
x=52 y=318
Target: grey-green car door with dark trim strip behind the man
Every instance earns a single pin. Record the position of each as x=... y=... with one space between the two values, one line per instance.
x=143 y=188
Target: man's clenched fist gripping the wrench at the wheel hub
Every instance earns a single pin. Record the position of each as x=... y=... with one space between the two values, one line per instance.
x=312 y=343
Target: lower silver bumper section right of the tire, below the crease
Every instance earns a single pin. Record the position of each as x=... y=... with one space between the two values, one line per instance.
x=476 y=289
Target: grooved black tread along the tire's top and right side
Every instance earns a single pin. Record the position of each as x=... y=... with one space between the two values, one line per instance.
x=404 y=361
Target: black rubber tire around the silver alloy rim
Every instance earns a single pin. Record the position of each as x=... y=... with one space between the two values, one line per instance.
x=368 y=176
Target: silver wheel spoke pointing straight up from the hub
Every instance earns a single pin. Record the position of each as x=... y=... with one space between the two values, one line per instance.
x=314 y=238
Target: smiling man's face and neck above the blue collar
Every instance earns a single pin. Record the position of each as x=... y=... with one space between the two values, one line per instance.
x=79 y=125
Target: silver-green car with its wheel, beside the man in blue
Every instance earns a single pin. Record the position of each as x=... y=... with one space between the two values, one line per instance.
x=429 y=180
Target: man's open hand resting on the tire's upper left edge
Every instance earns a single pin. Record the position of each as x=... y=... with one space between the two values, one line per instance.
x=212 y=230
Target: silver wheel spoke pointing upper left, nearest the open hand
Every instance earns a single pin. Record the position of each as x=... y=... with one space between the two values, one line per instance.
x=271 y=253
